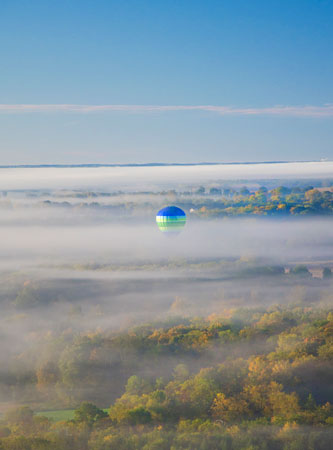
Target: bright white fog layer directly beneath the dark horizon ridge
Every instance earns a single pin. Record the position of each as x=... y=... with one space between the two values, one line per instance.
x=155 y=178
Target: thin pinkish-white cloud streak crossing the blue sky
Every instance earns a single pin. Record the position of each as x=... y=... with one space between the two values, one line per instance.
x=323 y=111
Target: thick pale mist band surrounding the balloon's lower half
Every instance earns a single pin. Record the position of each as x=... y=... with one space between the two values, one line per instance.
x=56 y=237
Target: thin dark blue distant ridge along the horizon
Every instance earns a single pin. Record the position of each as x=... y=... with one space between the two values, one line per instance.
x=64 y=166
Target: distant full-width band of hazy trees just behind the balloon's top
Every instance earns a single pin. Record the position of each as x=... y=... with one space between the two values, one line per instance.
x=202 y=202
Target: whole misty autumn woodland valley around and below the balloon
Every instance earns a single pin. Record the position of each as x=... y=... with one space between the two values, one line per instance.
x=115 y=337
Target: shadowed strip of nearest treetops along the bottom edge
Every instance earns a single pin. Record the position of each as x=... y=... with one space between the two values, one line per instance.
x=92 y=429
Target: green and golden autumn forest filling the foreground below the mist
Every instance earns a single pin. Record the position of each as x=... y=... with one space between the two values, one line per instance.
x=245 y=379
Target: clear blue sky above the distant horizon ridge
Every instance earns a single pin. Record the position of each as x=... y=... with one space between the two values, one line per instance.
x=241 y=54
